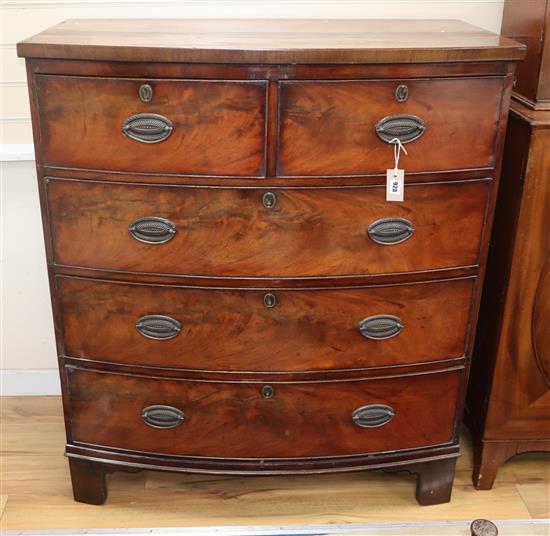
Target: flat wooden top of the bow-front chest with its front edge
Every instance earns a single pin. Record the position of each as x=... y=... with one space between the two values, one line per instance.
x=272 y=41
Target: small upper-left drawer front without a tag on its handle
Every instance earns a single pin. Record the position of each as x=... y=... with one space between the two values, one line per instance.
x=198 y=127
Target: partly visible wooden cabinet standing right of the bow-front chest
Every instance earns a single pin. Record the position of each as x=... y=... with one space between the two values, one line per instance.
x=509 y=395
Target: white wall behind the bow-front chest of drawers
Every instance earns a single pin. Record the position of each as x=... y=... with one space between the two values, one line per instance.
x=28 y=361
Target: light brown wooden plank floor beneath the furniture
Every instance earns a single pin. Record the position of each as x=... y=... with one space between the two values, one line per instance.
x=36 y=491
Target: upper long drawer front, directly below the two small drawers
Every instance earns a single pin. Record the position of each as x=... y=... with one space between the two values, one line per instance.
x=238 y=232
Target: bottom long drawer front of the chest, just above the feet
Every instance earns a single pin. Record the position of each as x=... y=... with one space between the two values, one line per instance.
x=255 y=420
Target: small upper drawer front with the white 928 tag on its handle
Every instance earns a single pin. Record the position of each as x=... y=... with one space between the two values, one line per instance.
x=329 y=128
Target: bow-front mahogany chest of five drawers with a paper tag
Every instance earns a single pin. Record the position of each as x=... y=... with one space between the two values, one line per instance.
x=232 y=292
